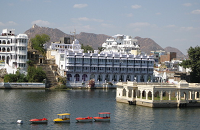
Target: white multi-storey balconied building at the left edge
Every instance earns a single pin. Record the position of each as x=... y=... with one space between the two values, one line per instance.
x=13 y=51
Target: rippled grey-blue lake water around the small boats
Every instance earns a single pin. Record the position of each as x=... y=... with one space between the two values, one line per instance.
x=26 y=104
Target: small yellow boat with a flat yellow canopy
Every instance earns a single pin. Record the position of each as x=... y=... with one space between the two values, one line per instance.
x=62 y=118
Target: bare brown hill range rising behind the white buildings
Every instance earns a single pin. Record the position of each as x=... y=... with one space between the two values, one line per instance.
x=95 y=40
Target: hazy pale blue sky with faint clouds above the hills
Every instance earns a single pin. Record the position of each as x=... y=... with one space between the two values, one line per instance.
x=174 y=23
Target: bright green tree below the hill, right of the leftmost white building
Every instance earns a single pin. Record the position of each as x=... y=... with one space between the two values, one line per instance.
x=38 y=42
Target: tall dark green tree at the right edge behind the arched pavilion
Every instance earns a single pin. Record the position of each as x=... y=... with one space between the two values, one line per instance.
x=194 y=63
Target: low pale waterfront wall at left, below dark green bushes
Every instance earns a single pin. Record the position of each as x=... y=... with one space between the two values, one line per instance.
x=22 y=85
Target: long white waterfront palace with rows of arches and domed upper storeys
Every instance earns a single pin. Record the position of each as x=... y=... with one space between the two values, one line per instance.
x=118 y=62
